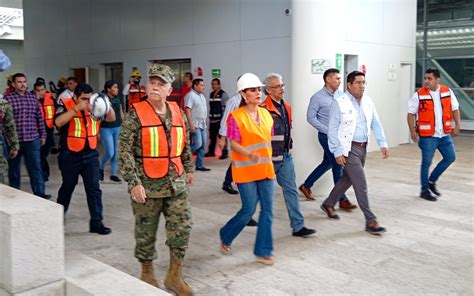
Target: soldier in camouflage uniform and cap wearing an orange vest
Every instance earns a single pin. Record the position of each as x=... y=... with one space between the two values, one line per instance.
x=168 y=193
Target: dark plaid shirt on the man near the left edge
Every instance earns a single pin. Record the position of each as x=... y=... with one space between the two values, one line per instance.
x=27 y=116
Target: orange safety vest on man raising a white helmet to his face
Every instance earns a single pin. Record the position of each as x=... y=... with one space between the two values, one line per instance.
x=79 y=130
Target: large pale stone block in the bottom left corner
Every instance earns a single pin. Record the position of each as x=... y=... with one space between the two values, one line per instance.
x=31 y=244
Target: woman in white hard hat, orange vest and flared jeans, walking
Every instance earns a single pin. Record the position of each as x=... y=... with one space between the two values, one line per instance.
x=249 y=130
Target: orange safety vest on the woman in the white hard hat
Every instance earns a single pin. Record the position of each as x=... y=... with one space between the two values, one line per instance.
x=257 y=139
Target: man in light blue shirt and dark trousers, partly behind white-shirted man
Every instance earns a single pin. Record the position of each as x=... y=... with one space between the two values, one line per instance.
x=318 y=117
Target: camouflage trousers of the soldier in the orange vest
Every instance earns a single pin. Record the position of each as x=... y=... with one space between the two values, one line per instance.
x=177 y=213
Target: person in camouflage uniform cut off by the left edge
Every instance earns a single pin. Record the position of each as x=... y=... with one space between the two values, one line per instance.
x=7 y=124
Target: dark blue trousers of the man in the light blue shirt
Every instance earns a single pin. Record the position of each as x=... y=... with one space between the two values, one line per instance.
x=329 y=162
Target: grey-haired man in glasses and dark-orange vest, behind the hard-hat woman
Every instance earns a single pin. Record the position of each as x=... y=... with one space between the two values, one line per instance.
x=281 y=156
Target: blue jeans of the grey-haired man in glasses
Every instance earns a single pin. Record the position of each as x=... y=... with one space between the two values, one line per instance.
x=285 y=172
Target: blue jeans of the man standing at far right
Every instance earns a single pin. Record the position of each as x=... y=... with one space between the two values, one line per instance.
x=428 y=146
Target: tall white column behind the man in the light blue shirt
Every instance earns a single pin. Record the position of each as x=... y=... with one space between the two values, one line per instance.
x=317 y=33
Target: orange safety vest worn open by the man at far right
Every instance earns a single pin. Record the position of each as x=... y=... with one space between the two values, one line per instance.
x=426 y=112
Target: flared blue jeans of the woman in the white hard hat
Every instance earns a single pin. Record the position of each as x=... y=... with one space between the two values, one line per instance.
x=250 y=194
